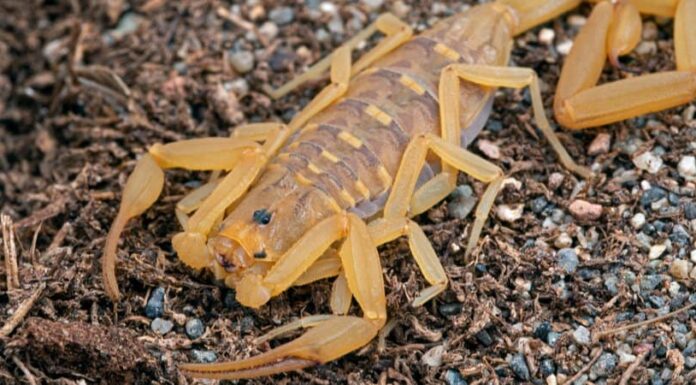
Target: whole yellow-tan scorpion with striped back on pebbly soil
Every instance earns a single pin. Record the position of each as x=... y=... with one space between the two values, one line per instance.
x=383 y=142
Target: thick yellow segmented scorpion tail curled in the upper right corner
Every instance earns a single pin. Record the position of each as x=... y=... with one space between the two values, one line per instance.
x=580 y=103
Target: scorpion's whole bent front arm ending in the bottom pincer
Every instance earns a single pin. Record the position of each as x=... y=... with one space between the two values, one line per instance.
x=337 y=335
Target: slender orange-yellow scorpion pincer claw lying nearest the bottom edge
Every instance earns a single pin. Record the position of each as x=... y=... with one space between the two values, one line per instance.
x=329 y=340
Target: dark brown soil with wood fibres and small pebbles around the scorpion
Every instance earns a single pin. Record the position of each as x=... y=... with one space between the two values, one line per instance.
x=87 y=86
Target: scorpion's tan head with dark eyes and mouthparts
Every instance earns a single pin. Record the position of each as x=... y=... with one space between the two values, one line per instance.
x=268 y=220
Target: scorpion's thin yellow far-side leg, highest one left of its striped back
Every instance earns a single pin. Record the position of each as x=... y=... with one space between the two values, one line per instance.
x=397 y=32
